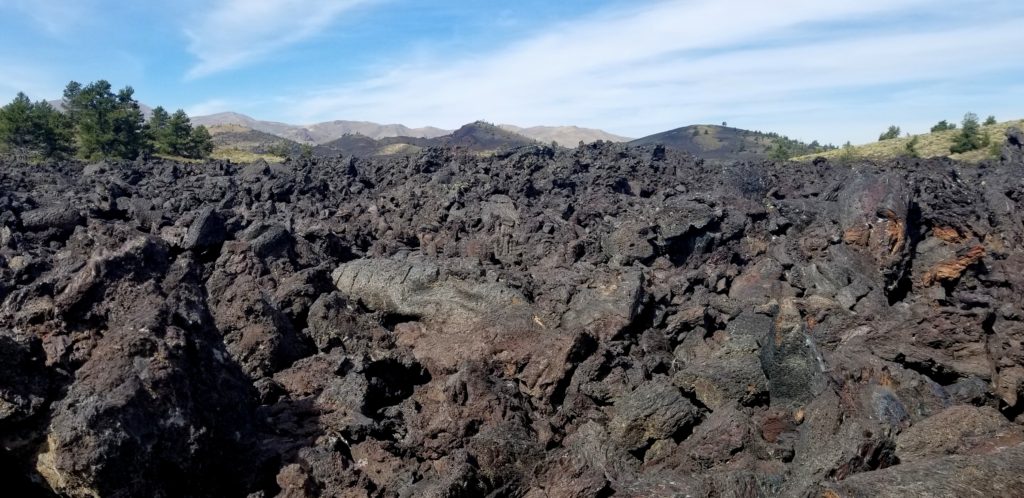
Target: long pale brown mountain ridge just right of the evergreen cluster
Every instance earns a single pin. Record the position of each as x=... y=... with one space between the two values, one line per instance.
x=321 y=133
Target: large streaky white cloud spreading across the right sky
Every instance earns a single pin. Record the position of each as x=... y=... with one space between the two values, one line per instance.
x=672 y=63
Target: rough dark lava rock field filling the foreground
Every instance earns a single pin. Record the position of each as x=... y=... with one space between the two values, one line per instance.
x=611 y=321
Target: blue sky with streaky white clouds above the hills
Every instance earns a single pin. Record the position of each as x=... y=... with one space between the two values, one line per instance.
x=827 y=70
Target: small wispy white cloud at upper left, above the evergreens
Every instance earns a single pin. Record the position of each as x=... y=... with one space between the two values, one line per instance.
x=234 y=33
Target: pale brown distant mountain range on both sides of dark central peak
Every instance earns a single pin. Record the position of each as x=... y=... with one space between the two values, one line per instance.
x=322 y=134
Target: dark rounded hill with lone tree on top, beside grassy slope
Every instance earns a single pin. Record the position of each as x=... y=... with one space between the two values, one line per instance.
x=727 y=144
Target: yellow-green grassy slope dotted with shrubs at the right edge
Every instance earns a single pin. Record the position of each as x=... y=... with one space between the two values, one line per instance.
x=927 y=146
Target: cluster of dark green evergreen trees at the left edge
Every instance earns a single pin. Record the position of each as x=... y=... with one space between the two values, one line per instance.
x=99 y=123
